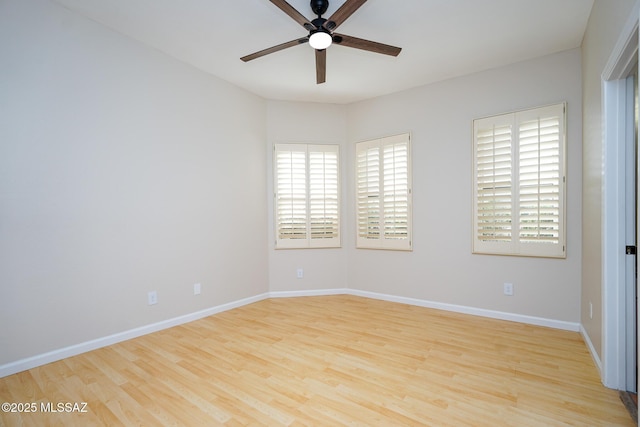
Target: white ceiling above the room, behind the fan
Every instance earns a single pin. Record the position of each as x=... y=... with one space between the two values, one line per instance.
x=440 y=39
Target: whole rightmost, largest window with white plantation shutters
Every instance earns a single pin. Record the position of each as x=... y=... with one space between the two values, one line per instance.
x=519 y=183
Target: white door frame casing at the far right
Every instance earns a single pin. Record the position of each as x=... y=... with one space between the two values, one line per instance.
x=614 y=313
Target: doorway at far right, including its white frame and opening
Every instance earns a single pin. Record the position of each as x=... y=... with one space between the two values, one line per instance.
x=620 y=212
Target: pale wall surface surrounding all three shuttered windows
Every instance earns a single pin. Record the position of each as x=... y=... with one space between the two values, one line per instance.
x=441 y=268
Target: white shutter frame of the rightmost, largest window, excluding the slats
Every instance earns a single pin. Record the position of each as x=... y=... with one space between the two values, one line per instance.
x=546 y=245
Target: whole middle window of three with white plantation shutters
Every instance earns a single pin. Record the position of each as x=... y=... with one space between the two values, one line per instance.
x=383 y=185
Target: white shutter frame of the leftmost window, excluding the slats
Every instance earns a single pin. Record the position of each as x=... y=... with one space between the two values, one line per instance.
x=310 y=239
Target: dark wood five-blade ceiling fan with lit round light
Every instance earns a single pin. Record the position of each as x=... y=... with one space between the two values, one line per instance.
x=321 y=34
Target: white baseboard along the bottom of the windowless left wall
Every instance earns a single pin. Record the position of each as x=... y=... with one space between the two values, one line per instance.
x=73 y=350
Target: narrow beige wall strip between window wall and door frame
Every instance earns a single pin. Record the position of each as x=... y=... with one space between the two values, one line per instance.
x=606 y=20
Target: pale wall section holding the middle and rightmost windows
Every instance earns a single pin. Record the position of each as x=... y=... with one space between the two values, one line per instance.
x=442 y=268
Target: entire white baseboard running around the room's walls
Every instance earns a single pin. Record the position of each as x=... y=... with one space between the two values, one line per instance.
x=55 y=355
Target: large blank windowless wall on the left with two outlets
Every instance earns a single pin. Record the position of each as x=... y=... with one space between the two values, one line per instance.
x=121 y=171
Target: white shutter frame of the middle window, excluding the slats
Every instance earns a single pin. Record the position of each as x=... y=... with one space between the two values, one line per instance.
x=384 y=240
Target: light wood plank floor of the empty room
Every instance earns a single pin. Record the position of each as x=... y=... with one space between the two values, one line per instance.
x=326 y=361
